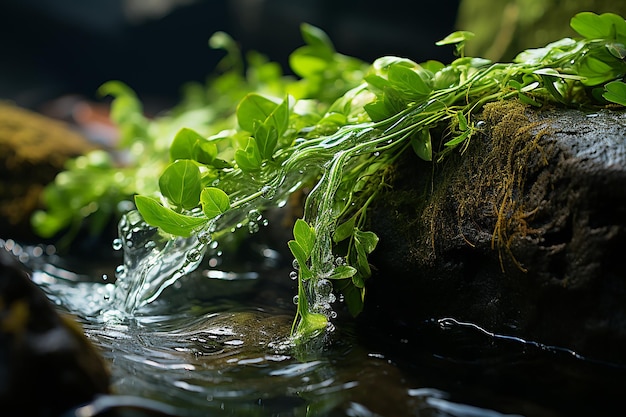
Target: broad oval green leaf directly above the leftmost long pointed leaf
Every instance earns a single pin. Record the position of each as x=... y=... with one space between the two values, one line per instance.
x=181 y=183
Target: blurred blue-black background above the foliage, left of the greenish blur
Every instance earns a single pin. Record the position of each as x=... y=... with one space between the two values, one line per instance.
x=51 y=48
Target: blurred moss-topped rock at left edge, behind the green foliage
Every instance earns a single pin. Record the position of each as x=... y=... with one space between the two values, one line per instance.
x=33 y=149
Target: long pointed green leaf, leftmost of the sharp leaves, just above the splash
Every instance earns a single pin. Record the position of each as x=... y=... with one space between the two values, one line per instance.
x=166 y=219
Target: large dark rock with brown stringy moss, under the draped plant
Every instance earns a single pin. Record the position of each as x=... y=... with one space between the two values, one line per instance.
x=521 y=235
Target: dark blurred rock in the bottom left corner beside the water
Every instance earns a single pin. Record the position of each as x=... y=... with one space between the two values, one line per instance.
x=47 y=366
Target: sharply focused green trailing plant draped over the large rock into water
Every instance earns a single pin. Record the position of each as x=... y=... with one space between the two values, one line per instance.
x=343 y=142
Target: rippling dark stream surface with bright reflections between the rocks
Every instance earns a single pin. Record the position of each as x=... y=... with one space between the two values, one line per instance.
x=215 y=343
